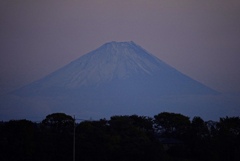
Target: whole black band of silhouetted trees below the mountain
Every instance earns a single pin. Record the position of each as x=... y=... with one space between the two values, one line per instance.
x=166 y=137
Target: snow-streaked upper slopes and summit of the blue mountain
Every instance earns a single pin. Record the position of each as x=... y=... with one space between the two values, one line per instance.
x=114 y=60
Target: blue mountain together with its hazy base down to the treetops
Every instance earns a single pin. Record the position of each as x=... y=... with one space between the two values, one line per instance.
x=118 y=78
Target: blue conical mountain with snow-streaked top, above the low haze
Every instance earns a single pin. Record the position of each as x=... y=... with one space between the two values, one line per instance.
x=116 y=67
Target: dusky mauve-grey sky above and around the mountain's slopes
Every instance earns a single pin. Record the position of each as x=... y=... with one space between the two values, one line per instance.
x=200 y=38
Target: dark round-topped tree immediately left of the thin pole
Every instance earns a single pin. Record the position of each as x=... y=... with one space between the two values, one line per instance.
x=56 y=137
